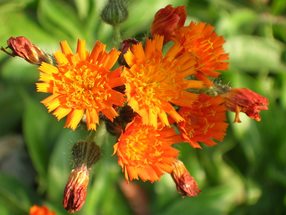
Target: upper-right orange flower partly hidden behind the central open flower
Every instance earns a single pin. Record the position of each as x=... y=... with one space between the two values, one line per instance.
x=206 y=46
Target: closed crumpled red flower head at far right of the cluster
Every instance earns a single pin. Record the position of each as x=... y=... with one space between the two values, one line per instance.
x=244 y=100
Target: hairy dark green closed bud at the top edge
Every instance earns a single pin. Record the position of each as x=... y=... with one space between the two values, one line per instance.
x=115 y=12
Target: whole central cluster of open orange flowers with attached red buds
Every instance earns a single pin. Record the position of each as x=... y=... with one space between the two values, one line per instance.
x=167 y=97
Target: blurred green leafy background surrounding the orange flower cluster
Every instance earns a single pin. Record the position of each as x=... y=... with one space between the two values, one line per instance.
x=245 y=174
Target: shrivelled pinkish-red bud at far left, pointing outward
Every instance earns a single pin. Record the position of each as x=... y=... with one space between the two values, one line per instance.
x=22 y=47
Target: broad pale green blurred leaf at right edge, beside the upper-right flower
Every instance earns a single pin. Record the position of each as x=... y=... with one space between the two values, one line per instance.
x=255 y=53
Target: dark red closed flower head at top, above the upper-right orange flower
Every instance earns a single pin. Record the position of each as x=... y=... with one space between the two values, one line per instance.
x=167 y=20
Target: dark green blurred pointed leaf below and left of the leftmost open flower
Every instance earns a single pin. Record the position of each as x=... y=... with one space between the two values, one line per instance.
x=40 y=132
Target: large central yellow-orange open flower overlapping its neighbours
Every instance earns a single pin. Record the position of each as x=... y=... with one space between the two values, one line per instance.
x=154 y=81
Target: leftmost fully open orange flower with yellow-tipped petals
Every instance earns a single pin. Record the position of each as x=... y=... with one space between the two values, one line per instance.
x=81 y=84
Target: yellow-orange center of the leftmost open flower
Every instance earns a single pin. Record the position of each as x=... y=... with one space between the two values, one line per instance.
x=83 y=84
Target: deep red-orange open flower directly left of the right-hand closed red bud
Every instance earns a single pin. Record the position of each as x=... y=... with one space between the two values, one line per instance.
x=204 y=121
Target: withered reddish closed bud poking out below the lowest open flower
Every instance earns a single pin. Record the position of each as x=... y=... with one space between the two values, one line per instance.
x=185 y=183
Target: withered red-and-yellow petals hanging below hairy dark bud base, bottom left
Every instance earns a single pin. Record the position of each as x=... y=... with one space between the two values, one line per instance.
x=76 y=189
